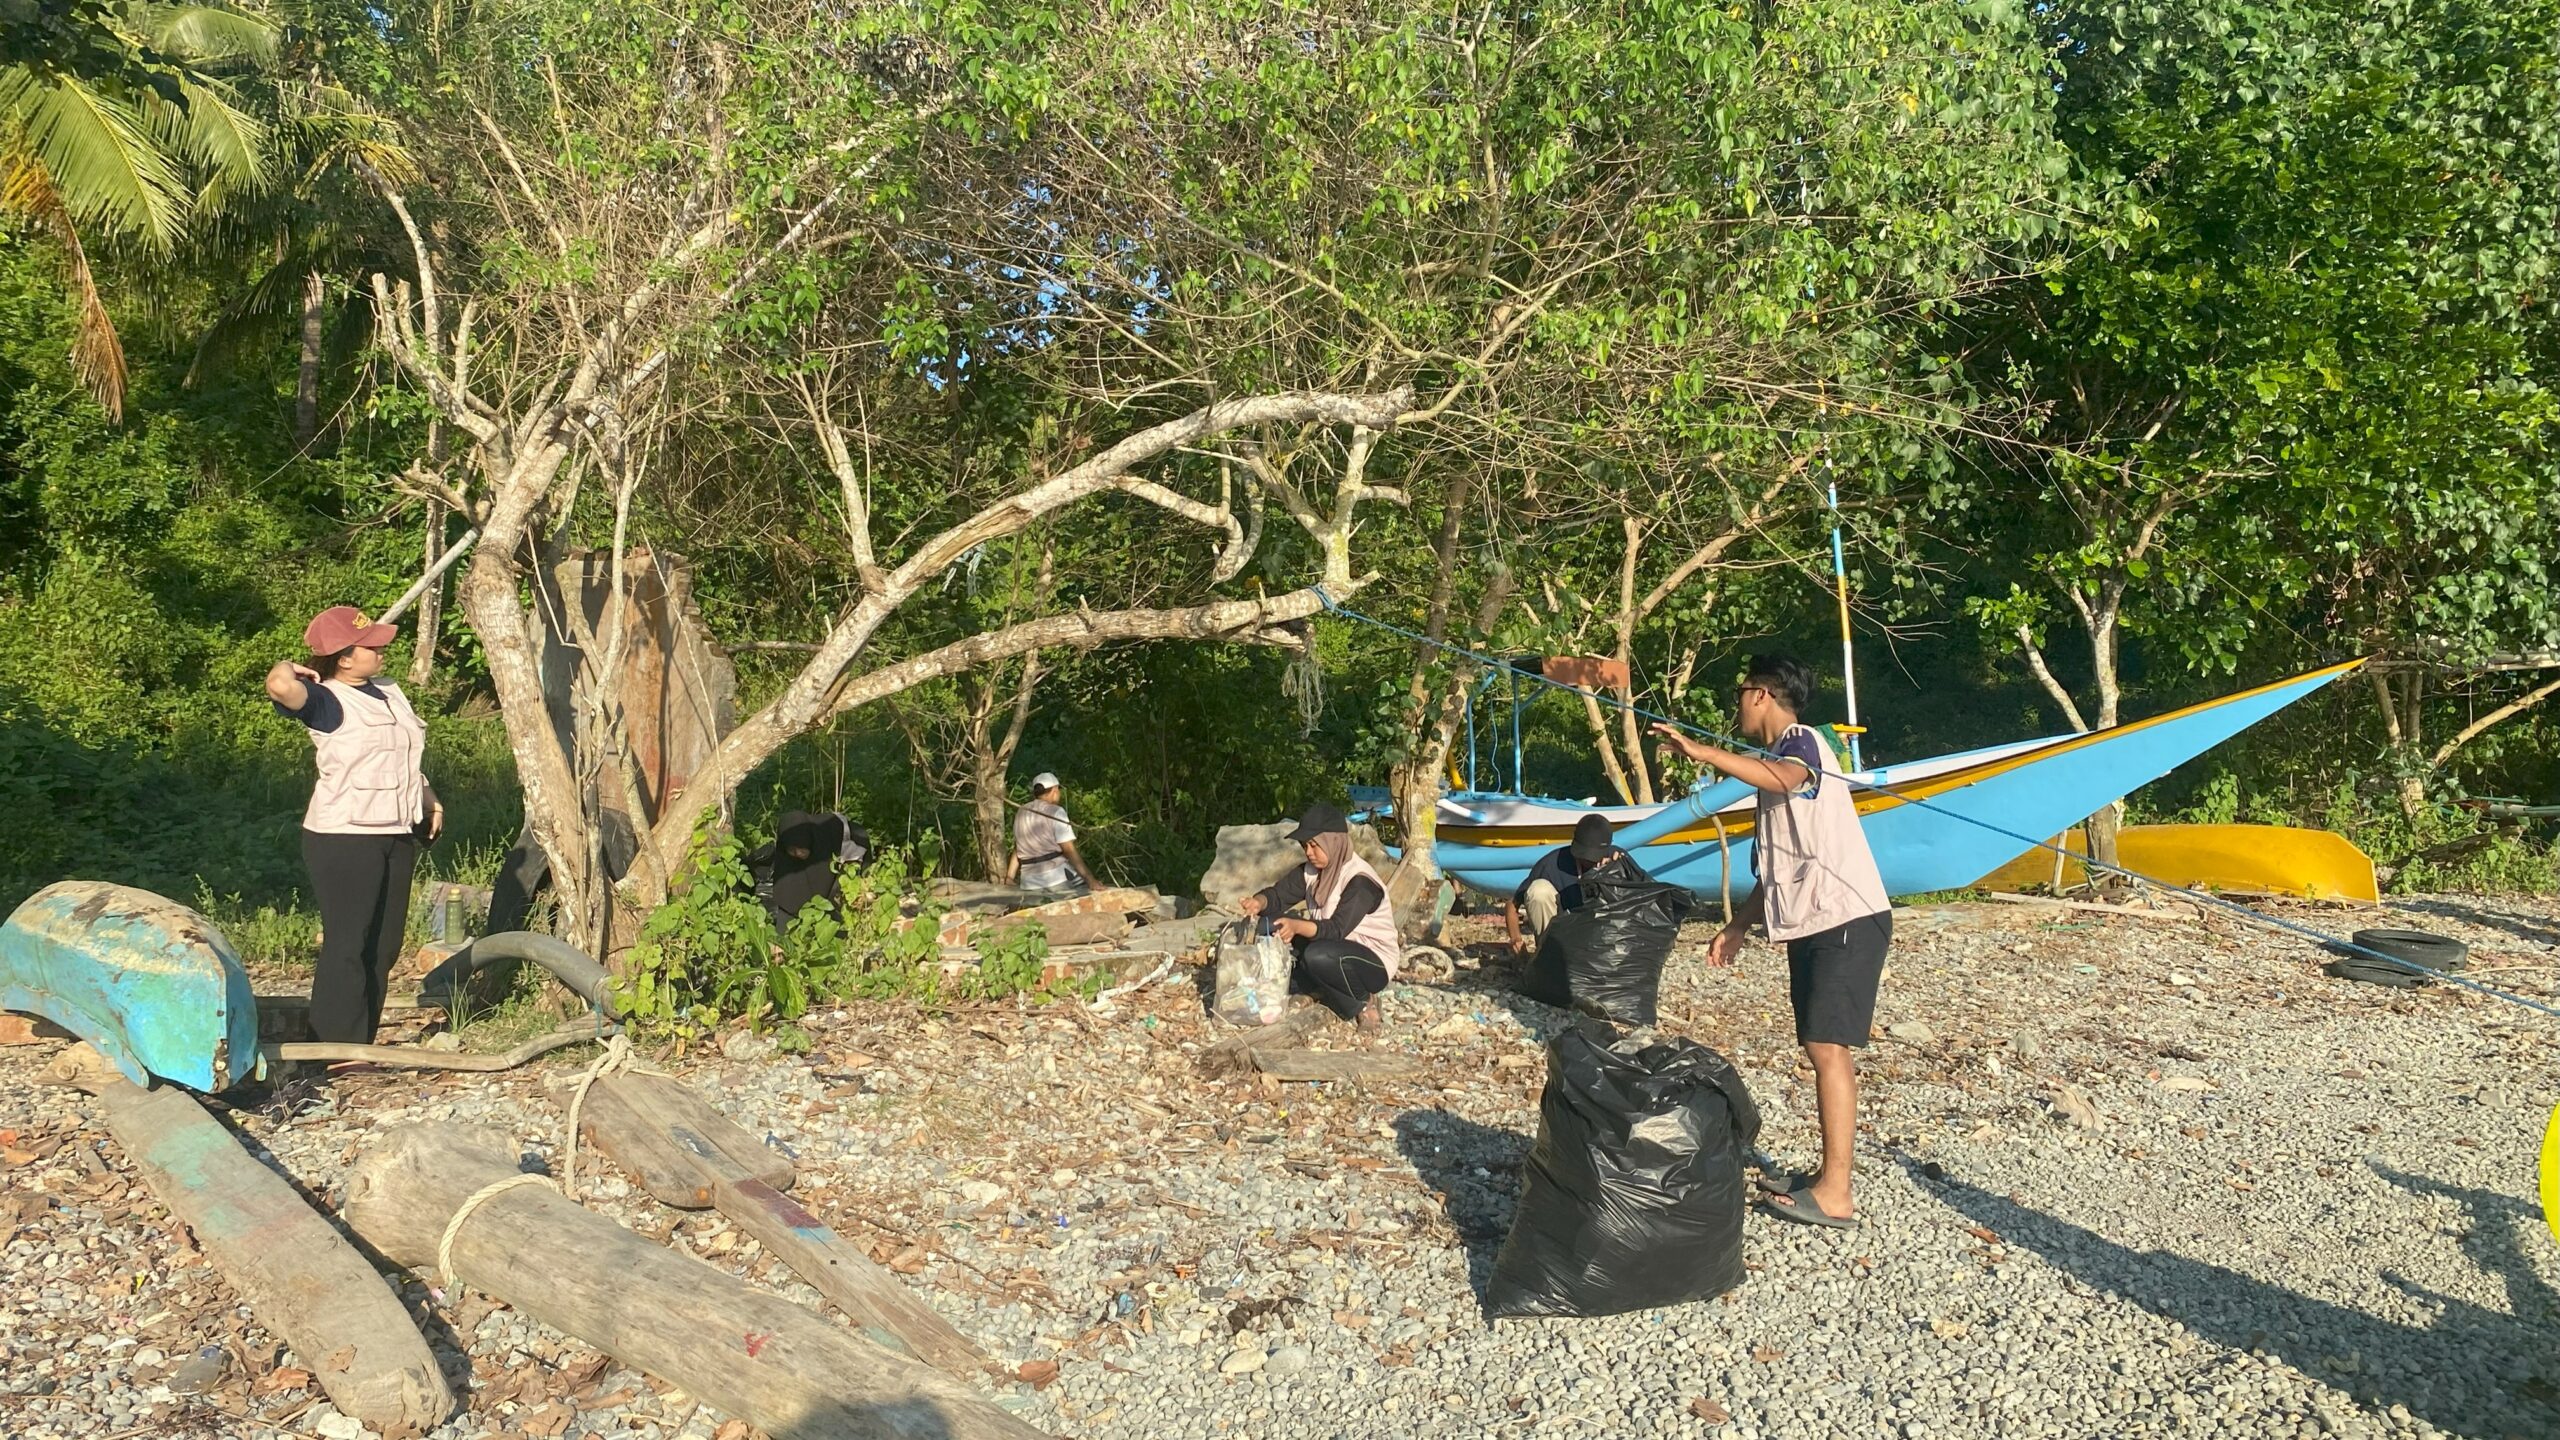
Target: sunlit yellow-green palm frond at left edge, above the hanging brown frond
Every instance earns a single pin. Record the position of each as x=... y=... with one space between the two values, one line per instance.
x=99 y=158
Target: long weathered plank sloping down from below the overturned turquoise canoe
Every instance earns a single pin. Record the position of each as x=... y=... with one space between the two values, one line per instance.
x=293 y=1270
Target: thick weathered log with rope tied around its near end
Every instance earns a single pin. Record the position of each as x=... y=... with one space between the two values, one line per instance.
x=739 y=1349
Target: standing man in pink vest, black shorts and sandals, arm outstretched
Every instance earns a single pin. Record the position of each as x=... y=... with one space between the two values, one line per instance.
x=1821 y=896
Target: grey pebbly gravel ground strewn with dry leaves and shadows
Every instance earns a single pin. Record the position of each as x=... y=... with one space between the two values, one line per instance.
x=2305 y=1211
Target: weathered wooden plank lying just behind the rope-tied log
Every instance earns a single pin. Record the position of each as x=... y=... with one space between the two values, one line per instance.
x=682 y=1149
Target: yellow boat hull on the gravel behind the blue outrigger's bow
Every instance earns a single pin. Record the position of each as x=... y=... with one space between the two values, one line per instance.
x=2257 y=860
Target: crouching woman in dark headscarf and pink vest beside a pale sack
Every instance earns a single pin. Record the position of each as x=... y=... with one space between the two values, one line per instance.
x=1348 y=939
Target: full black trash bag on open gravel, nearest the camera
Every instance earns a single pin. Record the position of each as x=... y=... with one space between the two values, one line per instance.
x=1635 y=1195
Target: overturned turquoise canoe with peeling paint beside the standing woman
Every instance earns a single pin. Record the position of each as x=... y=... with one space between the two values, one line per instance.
x=145 y=980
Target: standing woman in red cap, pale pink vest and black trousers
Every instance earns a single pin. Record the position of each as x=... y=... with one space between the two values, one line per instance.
x=367 y=814
